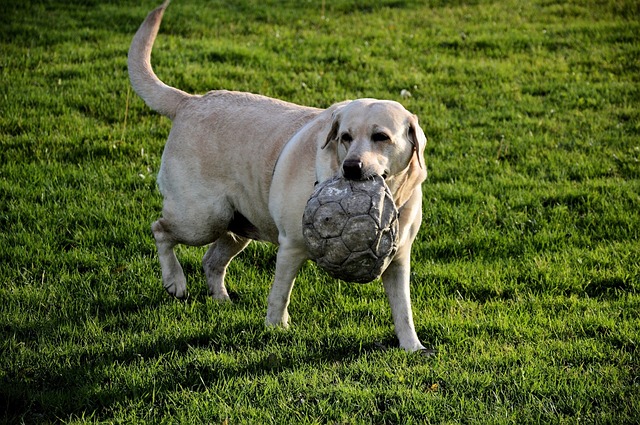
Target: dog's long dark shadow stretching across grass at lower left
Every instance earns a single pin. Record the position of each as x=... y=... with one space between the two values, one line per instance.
x=93 y=381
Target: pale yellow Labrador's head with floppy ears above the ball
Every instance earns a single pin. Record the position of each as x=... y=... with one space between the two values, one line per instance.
x=369 y=137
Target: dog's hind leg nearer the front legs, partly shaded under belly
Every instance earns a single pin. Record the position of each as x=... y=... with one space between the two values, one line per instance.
x=216 y=260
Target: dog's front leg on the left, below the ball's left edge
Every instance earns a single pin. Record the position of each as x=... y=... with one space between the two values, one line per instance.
x=288 y=262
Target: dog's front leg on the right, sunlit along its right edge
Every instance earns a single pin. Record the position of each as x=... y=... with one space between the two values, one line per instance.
x=396 y=284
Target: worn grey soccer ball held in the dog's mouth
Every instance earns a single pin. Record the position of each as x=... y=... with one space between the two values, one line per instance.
x=351 y=228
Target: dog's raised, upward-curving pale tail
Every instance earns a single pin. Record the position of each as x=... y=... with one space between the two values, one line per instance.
x=159 y=96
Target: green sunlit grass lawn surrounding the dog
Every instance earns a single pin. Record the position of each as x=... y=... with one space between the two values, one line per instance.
x=525 y=274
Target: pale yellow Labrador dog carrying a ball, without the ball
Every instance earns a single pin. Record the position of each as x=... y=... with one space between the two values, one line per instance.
x=239 y=167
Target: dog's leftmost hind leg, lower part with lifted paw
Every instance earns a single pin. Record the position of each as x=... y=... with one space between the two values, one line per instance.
x=173 y=278
